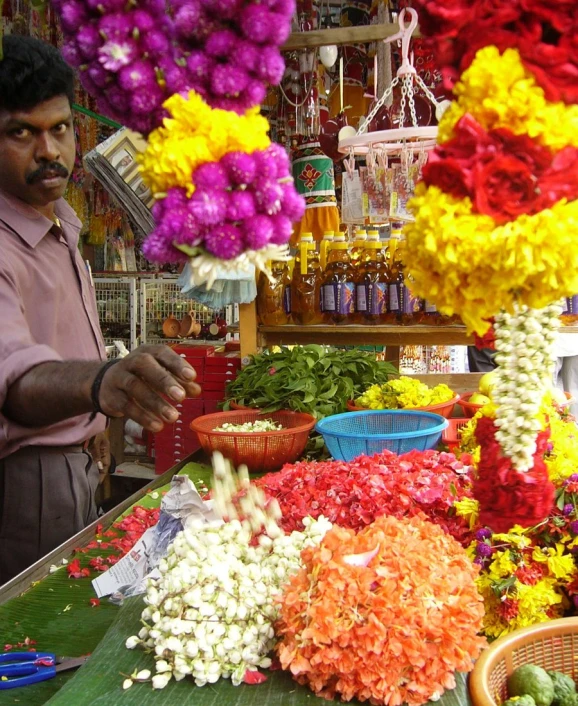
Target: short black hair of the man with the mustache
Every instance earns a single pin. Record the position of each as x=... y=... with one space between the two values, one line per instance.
x=32 y=72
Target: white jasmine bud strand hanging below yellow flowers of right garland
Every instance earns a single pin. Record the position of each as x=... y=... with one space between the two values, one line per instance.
x=525 y=358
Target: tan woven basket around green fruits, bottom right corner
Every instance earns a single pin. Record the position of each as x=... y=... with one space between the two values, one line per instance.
x=551 y=645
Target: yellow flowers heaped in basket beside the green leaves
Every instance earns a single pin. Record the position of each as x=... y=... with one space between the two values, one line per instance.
x=403 y=393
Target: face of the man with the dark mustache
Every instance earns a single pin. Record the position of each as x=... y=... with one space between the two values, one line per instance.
x=37 y=152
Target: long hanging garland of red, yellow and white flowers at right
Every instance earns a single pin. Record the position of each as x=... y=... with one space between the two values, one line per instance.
x=496 y=218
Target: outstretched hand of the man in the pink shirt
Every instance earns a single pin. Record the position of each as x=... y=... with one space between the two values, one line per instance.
x=143 y=385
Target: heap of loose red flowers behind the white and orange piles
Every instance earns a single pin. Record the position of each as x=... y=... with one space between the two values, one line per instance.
x=354 y=494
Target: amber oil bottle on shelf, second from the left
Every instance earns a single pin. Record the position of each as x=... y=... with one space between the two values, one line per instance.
x=306 y=283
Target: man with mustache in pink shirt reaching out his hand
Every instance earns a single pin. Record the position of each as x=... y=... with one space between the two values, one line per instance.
x=55 y=388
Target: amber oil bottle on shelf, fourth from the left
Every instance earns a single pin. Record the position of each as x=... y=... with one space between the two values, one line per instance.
x=371 y=283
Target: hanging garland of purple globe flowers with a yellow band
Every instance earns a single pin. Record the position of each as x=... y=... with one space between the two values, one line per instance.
x=191 y=81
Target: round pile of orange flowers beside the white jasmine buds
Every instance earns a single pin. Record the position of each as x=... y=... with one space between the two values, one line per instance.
x=386 y=615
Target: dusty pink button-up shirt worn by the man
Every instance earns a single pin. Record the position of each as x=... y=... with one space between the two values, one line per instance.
x=47 y=312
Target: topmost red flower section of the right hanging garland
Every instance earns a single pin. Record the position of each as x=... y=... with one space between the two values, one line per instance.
x=545 y=34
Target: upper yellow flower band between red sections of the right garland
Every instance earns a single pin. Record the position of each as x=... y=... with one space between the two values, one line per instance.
x=498 y=91
